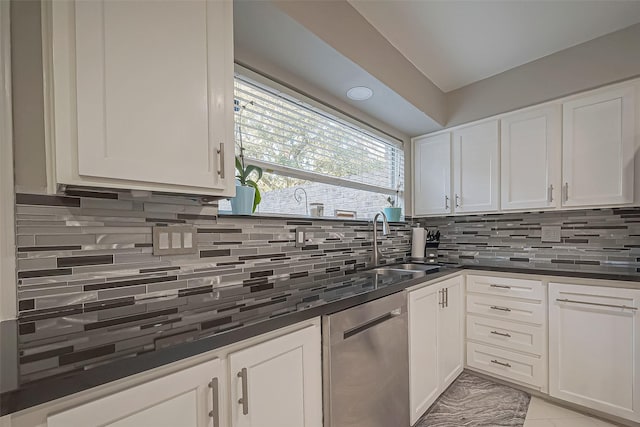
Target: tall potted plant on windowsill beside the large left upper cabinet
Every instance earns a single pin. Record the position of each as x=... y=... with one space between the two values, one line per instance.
x=247 y=192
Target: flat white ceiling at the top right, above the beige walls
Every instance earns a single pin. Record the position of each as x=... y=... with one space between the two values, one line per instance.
x=455 y=42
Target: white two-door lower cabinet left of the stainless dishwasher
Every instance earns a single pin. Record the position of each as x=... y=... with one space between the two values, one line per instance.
x=275 y=383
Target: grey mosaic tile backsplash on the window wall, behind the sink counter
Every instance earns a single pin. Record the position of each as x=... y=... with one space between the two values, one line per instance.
x=90 y=251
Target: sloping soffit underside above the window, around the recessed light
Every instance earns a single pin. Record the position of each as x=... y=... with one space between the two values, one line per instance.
x=271 y=35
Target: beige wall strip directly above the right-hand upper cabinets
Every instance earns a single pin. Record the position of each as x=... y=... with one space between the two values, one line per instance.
x=611 y=58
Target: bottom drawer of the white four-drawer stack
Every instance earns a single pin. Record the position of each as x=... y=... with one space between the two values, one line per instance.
x=504 y=363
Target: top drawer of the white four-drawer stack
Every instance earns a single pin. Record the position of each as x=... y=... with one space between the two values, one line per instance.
x=515 y=288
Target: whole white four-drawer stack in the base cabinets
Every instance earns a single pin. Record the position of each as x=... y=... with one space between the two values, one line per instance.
x=506 y=329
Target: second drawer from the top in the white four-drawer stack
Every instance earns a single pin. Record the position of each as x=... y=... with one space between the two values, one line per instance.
x=507 y=309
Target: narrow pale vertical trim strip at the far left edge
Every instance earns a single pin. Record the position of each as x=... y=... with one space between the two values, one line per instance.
x=7 y=193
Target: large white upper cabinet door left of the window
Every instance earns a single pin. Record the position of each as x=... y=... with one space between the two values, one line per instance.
x=150 y=82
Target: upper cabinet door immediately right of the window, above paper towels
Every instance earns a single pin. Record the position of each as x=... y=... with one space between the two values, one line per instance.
x=432 y=175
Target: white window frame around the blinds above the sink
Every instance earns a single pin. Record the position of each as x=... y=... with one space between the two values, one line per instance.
x=294 y=96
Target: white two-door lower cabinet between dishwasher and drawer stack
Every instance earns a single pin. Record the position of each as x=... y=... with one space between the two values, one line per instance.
x=436 y=355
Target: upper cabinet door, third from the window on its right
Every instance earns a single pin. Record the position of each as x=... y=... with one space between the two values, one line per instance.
x=530 y=158
